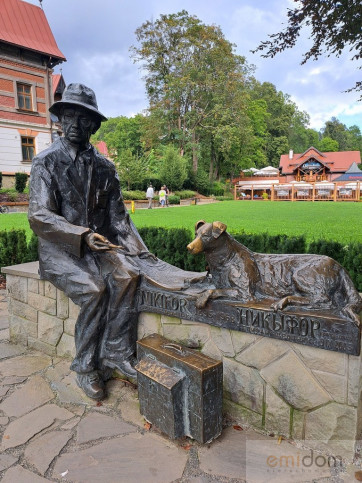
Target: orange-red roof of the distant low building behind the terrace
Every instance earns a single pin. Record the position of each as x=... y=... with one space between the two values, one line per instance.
x=337 y=162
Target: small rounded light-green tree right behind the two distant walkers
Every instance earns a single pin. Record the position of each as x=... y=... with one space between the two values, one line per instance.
x=173 y=170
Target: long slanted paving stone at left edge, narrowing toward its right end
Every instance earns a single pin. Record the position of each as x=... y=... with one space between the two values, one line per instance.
x=23 y=429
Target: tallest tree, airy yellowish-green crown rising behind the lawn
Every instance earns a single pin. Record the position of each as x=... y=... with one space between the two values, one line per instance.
x=194 y=80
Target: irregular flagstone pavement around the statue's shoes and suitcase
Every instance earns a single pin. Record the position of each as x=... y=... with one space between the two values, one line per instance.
x=50 y=431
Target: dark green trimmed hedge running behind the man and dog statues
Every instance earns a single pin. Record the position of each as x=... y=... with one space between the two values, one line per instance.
x=170 y=246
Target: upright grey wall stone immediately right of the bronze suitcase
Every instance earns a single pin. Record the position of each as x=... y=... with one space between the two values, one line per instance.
x=244 y=385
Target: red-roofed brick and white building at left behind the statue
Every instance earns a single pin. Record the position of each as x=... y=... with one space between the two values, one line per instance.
x=28 y=54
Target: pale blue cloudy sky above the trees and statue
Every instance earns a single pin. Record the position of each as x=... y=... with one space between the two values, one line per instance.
x=95 y=37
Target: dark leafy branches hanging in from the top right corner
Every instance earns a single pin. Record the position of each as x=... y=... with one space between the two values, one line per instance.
x=334 y=25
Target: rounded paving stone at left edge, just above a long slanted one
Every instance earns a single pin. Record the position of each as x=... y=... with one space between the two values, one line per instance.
x=33 y=394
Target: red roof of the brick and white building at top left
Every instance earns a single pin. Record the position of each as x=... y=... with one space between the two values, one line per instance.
x=26 y=25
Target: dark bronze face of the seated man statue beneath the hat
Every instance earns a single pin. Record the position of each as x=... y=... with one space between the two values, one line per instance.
x=77 y=124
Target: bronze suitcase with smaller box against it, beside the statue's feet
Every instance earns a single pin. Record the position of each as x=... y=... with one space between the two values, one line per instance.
x=180 y=390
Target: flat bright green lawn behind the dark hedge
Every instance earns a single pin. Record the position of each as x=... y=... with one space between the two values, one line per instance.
x=341 y=222
